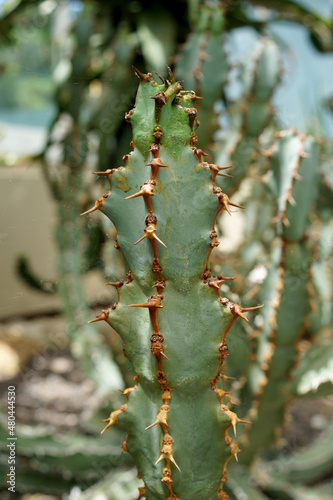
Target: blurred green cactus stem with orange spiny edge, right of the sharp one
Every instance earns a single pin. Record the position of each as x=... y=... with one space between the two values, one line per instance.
x=286 y=292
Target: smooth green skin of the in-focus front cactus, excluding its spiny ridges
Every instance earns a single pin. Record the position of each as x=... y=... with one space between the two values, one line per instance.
x=192 y=320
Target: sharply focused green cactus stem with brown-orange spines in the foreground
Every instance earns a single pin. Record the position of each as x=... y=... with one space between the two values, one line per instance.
x=170 y=314
